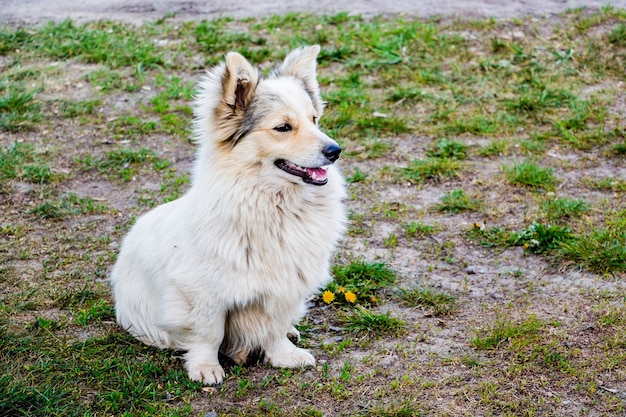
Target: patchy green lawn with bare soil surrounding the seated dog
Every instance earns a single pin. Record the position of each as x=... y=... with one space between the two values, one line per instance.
x=484 y=269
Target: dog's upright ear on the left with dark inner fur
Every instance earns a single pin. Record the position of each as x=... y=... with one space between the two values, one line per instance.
x=238 y=82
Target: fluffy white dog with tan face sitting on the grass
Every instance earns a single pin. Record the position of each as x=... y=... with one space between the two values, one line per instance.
x=228 y=266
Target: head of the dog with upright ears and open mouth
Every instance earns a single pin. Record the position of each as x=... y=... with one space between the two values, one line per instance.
x=268 y=126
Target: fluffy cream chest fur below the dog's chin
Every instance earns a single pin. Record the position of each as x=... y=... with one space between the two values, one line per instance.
x=271 y=239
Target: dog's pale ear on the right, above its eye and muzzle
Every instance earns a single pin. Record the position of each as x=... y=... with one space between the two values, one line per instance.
x=301 y=64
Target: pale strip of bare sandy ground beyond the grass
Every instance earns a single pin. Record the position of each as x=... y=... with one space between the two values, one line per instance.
x=137 y=11
